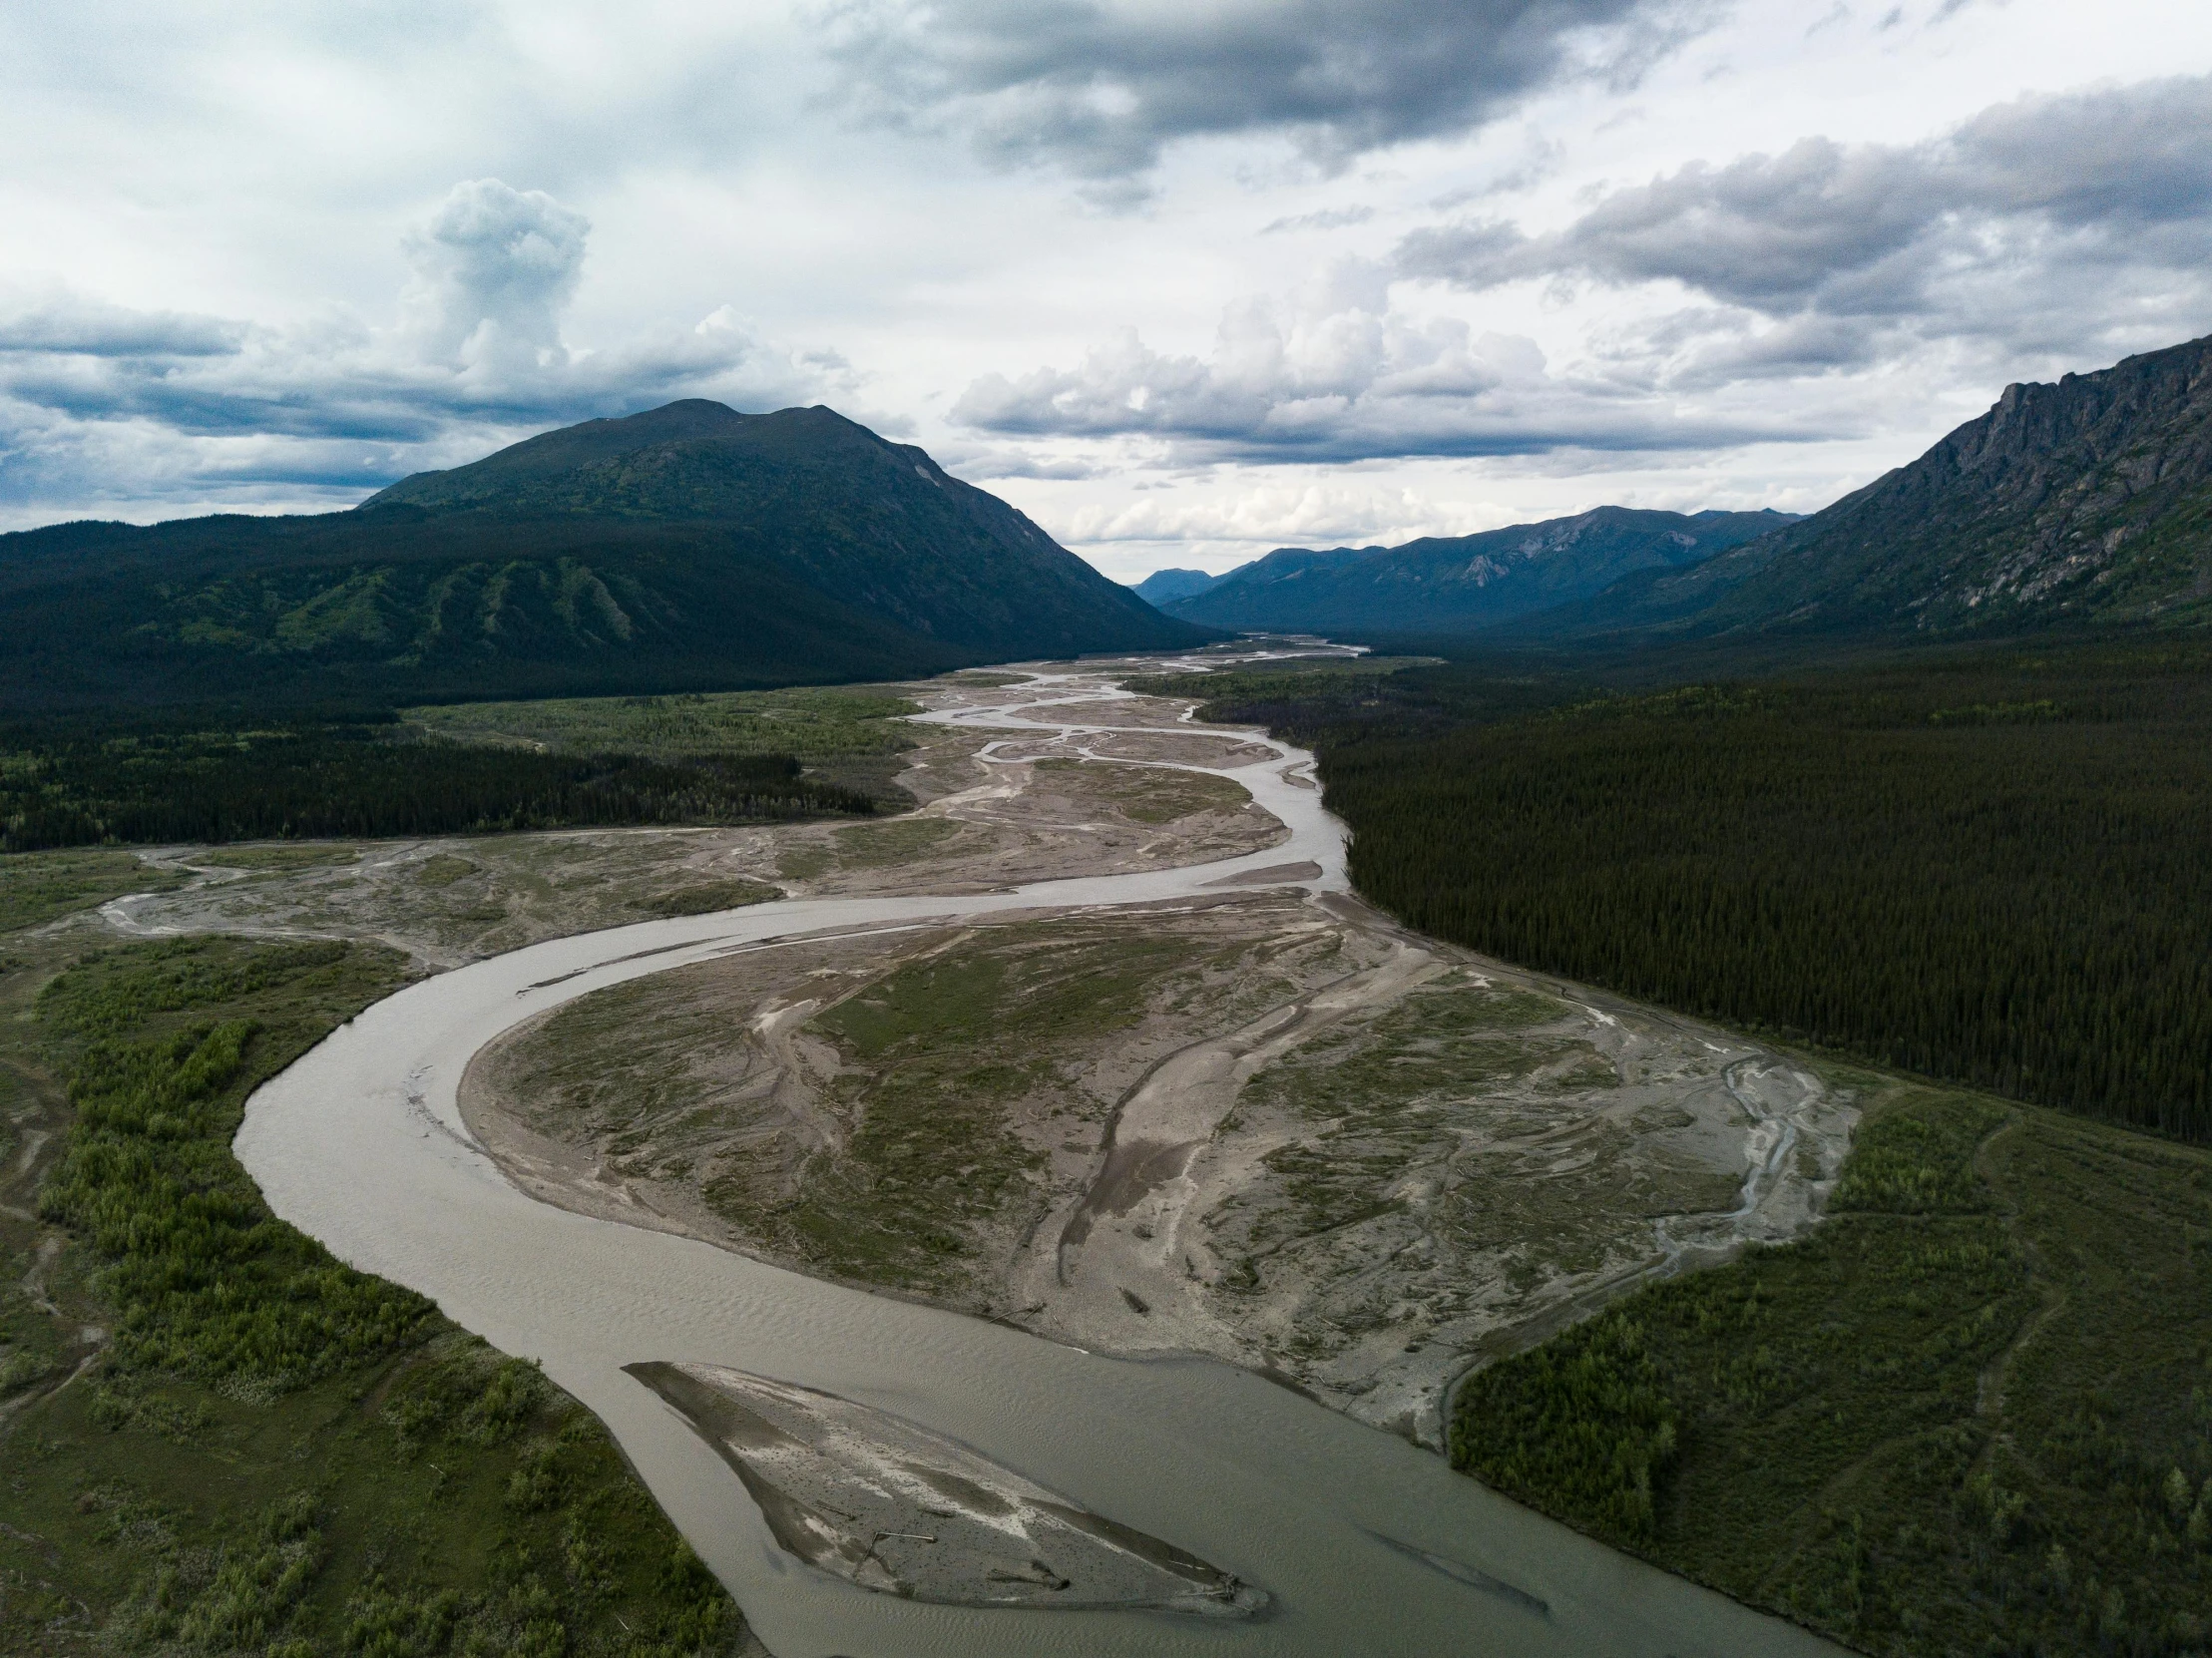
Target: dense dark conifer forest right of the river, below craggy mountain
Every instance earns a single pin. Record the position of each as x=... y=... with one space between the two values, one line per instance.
x=1990 y=868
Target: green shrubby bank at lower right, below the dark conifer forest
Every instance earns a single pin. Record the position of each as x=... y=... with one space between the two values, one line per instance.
x=1970 y=1416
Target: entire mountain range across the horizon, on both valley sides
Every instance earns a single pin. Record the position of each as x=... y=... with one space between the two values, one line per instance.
x=700 y=549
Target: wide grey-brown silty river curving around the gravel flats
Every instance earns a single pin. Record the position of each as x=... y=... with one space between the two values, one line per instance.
x=1366 y=1544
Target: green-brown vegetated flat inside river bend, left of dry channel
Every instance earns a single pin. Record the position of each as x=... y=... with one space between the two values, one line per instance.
x=906 y=1117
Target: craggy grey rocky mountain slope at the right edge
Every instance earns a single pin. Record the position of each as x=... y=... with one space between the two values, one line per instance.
x=2085 y=501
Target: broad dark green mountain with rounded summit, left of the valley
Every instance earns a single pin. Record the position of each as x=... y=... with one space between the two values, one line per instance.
x=680 y=549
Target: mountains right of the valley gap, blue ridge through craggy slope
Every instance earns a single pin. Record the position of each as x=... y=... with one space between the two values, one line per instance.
x=2074 y=503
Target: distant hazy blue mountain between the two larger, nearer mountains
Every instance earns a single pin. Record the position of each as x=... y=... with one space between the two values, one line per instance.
x=1463 y=583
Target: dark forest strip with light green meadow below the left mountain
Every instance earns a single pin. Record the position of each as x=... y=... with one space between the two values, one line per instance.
x=470 y=768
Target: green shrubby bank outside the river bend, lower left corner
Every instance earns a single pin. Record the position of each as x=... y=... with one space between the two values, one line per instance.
x=218 y=1438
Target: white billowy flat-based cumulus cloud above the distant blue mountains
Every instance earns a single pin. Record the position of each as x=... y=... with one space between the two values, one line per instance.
x=1339 y=375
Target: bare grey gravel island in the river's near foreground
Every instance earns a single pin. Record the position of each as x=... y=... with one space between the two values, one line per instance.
x=901 y=1511
